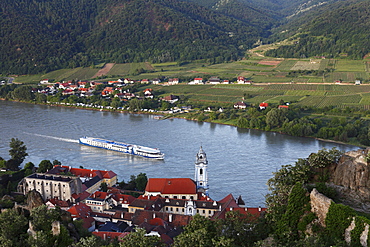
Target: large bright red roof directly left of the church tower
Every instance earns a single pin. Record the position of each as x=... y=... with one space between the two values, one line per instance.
x=171 y=186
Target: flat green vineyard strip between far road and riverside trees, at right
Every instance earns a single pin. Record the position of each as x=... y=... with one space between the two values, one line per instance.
x=314 y=95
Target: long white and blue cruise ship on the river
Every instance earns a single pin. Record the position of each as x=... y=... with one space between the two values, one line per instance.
x=146 y=152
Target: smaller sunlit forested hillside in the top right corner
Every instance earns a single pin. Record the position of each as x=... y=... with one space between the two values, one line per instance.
x=342 y=32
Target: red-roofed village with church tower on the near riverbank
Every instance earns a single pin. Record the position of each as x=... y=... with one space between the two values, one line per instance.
x=166 y=206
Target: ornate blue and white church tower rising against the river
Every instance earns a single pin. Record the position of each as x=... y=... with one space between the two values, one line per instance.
x=201 y=175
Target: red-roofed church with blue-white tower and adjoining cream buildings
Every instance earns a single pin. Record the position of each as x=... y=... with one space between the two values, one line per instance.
x=186 y=196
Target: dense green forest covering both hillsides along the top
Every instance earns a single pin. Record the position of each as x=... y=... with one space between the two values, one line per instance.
x=44 y=35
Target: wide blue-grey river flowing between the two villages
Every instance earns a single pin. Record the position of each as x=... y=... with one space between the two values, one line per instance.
x=240 y=161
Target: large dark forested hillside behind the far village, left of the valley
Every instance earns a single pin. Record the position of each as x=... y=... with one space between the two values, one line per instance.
x=39 y=36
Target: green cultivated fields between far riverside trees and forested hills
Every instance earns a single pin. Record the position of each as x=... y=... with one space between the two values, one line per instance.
x=329 y=82
